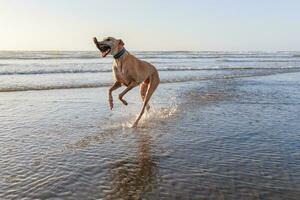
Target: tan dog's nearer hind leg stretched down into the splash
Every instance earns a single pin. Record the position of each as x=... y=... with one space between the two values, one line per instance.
x=154 y=81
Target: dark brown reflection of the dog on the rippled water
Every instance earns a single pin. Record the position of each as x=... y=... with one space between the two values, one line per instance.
x=134 y=176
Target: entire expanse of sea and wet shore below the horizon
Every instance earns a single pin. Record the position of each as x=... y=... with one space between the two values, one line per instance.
x=222 y=125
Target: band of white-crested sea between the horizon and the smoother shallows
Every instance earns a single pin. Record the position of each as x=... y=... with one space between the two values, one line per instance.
x=20 y=71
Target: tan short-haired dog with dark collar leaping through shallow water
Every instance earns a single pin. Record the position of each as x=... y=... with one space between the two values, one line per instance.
x=129 y=71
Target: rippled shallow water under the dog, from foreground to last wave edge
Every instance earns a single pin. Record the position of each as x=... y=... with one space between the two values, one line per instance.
x=230 y=138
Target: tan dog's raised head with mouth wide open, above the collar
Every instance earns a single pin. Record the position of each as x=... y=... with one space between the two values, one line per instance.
x=109 y=45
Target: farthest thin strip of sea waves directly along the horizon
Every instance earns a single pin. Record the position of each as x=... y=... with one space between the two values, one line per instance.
x=52 y=55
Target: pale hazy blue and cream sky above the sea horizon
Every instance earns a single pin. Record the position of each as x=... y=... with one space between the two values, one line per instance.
x=204 y=25
